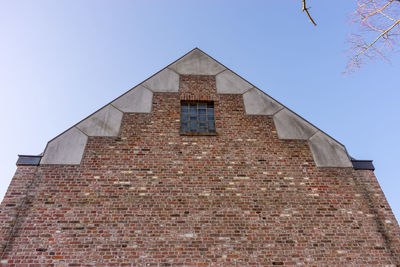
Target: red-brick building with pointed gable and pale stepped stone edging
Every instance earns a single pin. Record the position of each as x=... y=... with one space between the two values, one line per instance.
x=196 y=167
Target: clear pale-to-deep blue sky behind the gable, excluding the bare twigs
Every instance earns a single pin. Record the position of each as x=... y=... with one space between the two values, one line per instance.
x=62 y=60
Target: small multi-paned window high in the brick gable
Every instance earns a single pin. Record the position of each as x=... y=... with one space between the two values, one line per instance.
x=197 y=117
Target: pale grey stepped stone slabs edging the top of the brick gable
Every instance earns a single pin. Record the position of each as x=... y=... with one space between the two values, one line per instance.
x=326 y=151
